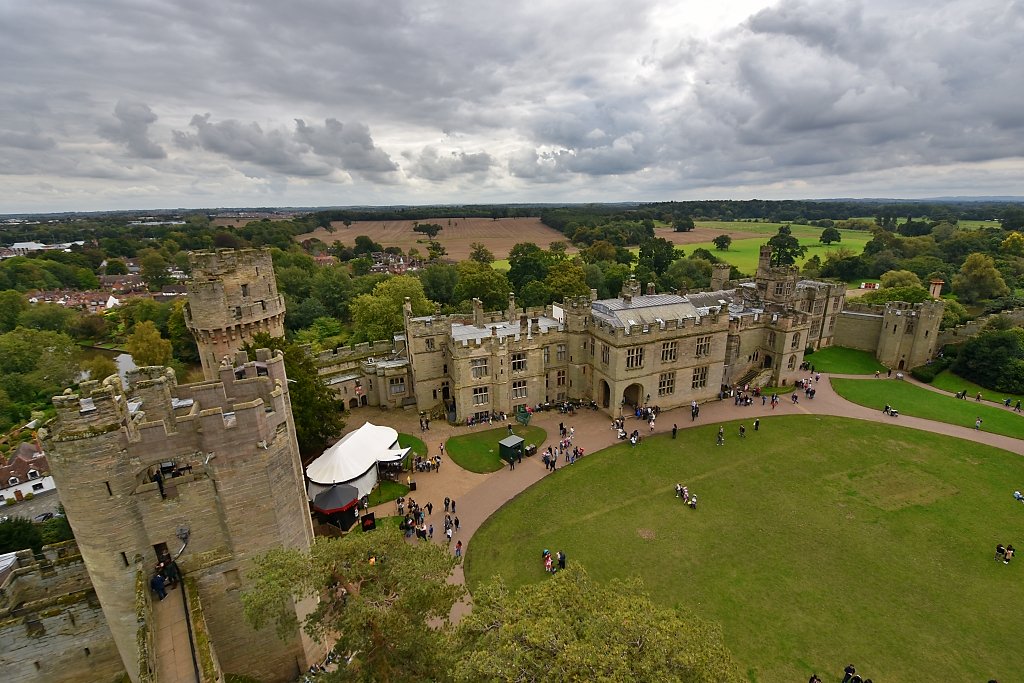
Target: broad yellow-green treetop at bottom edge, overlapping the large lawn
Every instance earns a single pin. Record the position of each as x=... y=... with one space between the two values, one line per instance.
x=616 y=633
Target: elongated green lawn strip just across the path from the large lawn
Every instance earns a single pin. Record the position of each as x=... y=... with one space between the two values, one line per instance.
x=911 y=400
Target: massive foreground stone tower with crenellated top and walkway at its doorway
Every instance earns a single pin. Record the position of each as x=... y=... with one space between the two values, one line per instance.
x=231 y=484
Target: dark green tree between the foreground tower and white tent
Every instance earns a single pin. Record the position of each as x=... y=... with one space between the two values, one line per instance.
x=316 y=410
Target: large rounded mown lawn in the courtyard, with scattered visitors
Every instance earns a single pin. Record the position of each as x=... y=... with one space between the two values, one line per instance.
x=819 y=542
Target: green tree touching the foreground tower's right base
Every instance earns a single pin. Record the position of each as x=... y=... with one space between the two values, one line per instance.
x=377 y=596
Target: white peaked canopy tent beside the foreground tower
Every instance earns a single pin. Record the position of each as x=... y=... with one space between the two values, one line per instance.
x=354 y=460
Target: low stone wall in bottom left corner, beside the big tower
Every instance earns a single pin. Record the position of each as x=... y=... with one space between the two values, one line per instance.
x=52 y=626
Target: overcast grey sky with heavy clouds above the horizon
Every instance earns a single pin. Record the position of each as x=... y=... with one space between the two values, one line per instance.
x=150 y=104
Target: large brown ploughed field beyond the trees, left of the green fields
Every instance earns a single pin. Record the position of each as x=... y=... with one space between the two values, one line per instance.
x=458 y=234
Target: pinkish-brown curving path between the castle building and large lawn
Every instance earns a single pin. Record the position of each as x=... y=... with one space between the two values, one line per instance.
x=480 y=496
